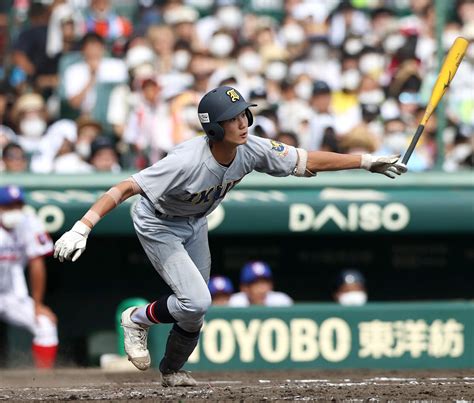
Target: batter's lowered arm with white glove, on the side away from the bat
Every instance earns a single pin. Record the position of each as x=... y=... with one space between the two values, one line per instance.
x=72 y=243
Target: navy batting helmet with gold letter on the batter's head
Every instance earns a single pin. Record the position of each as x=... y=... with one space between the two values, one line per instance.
x=218 y=105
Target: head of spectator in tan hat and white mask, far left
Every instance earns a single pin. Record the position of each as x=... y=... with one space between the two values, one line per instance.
x=30 y=118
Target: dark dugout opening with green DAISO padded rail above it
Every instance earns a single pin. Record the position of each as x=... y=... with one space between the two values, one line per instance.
x=411 y=237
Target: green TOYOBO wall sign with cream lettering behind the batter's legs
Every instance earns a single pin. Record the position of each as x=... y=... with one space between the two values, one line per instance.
x=423 y=335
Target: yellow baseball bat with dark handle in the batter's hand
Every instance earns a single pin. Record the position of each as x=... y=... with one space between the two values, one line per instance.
x=445 y=76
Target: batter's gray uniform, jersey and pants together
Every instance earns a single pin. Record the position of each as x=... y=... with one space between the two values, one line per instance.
x=179 y=192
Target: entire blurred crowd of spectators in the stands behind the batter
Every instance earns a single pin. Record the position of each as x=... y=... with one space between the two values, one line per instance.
x=104 y=85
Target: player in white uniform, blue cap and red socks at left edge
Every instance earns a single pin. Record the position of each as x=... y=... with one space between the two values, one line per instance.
x=23 y=241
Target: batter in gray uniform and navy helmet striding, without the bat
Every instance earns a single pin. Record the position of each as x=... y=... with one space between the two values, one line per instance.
x=177 y=193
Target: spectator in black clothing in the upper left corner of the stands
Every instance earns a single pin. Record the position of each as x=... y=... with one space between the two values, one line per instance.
x=30 y=59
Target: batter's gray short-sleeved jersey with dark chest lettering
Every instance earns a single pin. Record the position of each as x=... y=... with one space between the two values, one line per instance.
x=190 y=182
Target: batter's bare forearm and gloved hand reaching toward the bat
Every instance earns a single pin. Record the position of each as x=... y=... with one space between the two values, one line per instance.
x=318 y=161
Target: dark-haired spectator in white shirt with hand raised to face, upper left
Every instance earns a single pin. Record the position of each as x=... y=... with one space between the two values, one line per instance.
x=82 y=78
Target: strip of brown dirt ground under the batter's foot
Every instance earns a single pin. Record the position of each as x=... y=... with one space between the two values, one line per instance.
x=95 y=384
